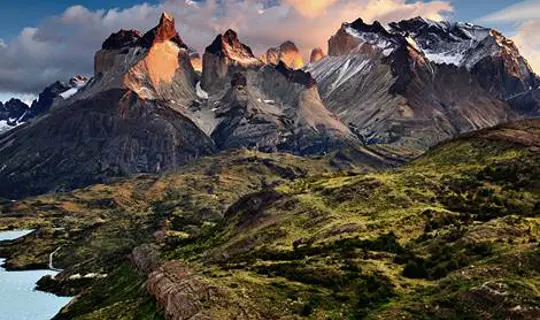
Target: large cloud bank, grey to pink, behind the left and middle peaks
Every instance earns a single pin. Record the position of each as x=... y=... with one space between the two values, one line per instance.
x=62 y=46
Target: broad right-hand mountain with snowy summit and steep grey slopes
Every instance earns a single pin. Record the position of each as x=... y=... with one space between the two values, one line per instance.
x=418 y=82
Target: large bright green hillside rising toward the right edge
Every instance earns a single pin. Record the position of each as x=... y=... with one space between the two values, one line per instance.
x=452 y=235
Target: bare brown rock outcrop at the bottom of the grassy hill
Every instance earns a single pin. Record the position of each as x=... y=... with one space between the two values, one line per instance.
x=185 y=295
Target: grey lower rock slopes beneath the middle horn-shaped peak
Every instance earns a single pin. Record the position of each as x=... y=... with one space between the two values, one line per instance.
x=277 y=109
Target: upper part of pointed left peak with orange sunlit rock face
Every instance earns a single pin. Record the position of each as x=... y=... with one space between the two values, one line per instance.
x=157 y=65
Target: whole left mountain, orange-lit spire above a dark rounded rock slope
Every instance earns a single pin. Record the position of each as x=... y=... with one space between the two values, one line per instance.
x=133 y=116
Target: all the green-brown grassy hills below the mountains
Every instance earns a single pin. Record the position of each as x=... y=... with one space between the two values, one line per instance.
x=451 y=235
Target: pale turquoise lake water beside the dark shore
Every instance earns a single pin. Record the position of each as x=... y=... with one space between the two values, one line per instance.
x=18 y=299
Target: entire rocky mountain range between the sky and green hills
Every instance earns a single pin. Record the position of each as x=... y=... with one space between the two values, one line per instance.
x=410 y=84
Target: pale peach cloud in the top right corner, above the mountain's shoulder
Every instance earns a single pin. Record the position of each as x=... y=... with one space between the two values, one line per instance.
x=526 y=18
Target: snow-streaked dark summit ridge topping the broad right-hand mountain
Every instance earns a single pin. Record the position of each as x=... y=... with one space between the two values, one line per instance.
x=441 y=42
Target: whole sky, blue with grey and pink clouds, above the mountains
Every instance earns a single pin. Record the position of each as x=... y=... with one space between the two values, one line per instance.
x=44 y=41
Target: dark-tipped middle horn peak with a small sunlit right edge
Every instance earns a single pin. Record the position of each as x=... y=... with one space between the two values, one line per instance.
x=225 y=56
